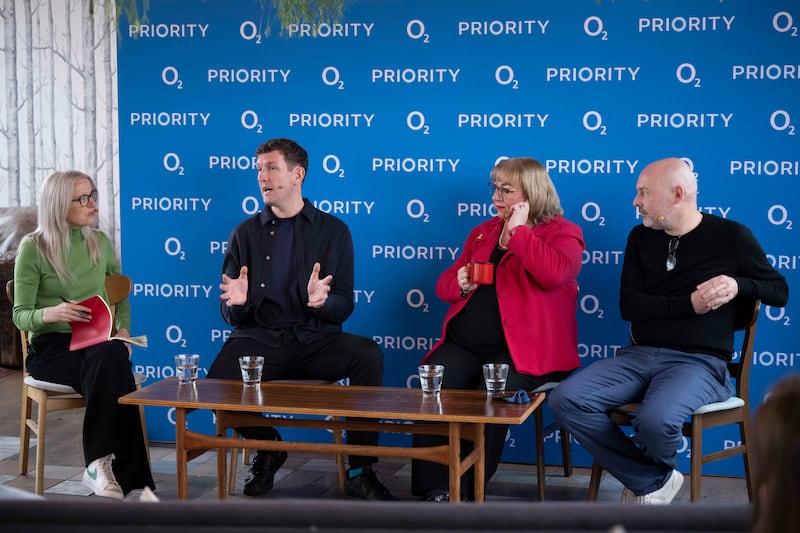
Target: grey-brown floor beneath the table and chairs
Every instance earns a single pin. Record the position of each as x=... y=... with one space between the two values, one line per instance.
x=302 y=476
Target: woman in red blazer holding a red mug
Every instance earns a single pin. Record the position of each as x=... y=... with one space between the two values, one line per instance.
x=525 y=317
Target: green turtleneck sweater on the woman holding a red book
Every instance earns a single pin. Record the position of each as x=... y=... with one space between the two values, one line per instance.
x=37 y=286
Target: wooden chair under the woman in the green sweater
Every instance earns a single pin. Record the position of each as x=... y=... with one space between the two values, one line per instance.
x=50 y=397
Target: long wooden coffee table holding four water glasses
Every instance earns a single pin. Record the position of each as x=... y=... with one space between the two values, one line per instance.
x=455 y=414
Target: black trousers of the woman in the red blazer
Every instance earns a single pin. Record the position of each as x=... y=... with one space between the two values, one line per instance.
x=462 y=370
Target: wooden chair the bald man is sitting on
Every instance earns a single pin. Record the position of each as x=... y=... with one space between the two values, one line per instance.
x=734 y=410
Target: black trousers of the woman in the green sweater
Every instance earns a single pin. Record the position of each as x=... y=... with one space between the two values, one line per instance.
x=101 y=373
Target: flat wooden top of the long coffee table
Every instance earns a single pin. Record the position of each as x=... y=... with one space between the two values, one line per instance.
x=334 y=400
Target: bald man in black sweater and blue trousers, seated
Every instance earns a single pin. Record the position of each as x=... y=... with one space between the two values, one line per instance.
x=682 y=276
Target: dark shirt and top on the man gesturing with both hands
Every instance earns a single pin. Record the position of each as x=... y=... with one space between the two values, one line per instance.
x=281 y=282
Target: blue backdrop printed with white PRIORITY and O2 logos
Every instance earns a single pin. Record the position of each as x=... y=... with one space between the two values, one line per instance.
x=405 y=107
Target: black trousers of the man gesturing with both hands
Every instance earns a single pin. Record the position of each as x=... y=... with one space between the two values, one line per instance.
x=331 y=357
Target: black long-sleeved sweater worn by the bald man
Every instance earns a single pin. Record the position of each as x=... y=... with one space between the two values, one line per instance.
x=657 y=302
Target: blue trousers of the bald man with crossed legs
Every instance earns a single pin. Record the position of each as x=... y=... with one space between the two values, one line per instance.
x=670 y=385
